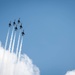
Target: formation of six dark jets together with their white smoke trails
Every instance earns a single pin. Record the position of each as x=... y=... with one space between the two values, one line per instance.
x=17 y=25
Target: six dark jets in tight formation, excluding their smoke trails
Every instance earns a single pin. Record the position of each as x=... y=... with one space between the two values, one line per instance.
x=16 y=27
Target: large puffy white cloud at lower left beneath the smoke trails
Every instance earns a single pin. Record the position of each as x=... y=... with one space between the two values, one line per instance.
x=23 y=67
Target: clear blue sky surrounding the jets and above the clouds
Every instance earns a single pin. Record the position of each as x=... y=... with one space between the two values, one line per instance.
x=50 y=32
